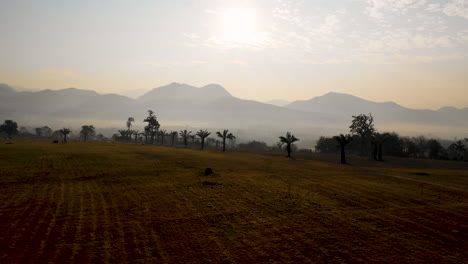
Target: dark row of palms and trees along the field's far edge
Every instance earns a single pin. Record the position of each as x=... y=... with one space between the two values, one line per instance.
x=363 y=139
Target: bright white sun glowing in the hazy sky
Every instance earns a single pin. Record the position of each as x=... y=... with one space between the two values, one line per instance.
x=239 y=25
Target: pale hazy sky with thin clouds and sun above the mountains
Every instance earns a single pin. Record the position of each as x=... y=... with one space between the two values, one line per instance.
x=414 y=52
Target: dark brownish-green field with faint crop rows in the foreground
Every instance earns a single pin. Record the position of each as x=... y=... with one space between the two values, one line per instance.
x=124 y=203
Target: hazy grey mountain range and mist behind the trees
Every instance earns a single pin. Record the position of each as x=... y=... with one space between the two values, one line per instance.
x=211 y=106
